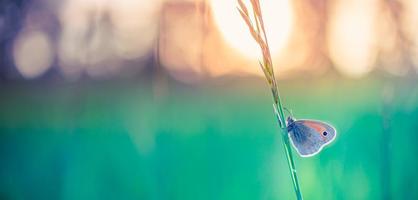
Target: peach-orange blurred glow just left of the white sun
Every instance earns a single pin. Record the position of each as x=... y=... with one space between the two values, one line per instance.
x=181 y=42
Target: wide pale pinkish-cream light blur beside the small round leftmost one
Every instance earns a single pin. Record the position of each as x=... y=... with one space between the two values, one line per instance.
x=97 y=36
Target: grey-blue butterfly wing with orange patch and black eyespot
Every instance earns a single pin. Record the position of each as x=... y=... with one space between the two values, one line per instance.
x=310 y=136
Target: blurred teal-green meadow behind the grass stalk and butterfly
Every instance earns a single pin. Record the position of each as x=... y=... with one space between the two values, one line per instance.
x=135 y=139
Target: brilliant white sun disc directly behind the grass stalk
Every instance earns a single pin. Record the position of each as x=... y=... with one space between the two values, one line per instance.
x=277 y=18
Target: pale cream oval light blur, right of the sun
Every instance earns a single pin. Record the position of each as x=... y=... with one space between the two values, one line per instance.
x=352 y=37
